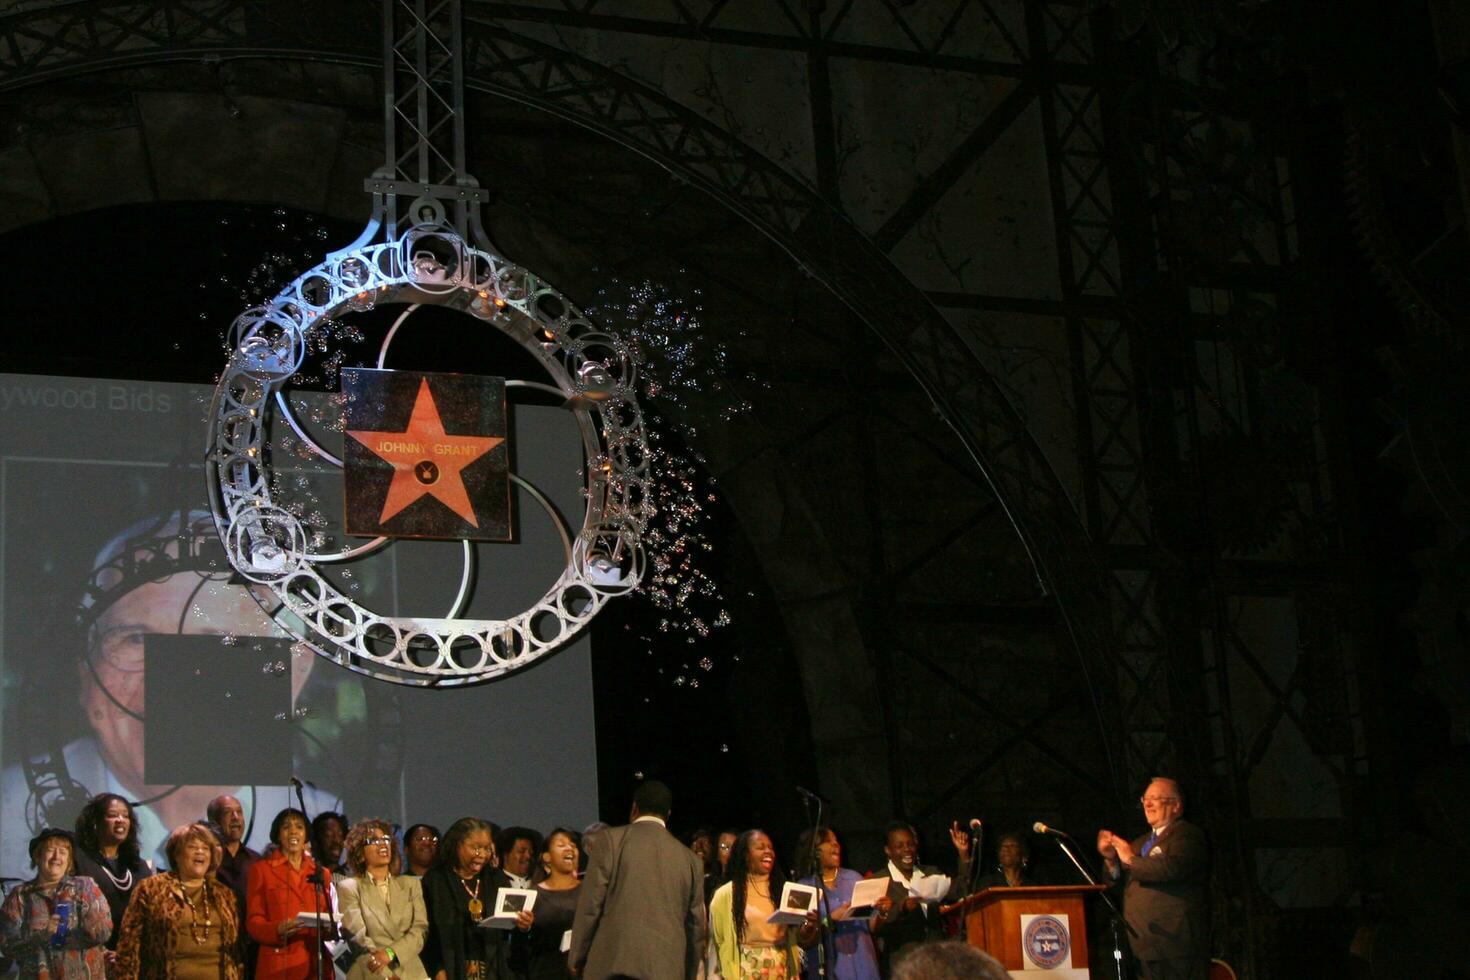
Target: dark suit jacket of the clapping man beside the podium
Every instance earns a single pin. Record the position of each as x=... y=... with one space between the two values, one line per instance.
x=1166 y=896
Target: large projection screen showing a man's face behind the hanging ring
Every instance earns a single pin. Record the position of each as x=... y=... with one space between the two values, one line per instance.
x=135 y=663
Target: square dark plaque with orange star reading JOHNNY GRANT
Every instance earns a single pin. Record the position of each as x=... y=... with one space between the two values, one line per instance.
x=427 y=456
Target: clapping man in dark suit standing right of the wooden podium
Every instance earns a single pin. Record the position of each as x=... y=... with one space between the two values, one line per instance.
x=1166 y=887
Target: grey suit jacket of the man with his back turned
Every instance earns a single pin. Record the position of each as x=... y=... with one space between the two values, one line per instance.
x=642 y=907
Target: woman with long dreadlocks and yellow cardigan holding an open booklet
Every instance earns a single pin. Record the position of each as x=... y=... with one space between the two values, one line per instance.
x=745 y=944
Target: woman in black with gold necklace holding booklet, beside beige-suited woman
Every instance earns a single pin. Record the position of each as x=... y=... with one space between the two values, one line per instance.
x=459 y=893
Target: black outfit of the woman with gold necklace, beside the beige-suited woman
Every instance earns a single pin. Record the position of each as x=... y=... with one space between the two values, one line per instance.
x=455 y=944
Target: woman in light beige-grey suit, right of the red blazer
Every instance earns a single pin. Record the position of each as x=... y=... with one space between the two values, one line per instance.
x=383 y=912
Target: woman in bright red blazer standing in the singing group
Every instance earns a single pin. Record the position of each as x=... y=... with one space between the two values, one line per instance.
x=279 y=890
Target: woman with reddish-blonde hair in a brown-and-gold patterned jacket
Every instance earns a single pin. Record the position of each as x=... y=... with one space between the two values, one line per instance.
x=183 y=925
